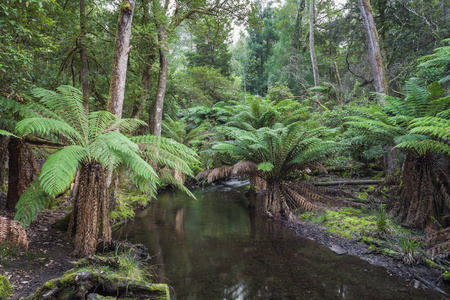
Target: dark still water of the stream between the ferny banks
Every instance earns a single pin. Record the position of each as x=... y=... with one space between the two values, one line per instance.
x=213 y=248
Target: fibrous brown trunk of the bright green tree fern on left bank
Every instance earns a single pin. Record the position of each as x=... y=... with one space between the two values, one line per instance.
x=91 y=210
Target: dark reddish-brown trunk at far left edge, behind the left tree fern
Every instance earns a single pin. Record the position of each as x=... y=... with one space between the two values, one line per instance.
x=17 y=173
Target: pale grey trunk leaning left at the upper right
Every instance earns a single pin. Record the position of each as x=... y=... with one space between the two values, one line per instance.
x=373 y=47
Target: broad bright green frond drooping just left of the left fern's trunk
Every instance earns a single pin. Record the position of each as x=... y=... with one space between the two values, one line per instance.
x=59 y=169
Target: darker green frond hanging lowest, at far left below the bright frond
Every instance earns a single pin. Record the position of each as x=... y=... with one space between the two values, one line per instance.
x=30 y=204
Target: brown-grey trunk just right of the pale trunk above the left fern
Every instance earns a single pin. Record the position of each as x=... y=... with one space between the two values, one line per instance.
x=162 y=83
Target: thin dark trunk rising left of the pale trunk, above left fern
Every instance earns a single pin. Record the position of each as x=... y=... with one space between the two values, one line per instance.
x=84 y=63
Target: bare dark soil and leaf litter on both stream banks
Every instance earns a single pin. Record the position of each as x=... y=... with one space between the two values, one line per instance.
x=48 y=255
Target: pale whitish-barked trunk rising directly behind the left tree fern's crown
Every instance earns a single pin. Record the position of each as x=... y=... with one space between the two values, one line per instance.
x=121 y=51
